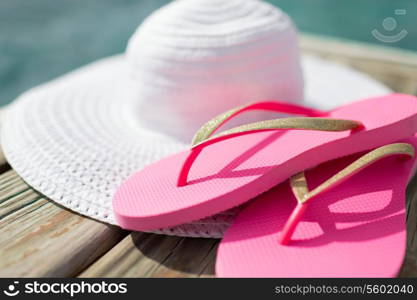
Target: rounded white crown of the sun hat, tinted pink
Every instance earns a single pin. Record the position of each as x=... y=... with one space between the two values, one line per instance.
x=193 y=59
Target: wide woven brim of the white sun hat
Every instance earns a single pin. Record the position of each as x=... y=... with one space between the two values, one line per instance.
x=75 y=140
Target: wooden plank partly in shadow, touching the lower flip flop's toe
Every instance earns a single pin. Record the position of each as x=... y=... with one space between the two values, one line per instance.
x=153 y=255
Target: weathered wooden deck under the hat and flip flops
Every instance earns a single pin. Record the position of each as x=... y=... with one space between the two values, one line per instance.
x=41 y=238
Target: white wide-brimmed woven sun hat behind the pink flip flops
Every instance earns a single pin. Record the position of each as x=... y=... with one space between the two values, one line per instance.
x=75 y=139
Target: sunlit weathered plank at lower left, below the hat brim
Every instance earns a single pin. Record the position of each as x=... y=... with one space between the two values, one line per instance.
x=40 y=238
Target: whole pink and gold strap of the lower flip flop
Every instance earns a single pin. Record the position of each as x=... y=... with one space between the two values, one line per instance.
x=299 y=185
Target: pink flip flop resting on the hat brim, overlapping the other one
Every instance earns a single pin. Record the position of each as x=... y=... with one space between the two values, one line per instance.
x=227 y=169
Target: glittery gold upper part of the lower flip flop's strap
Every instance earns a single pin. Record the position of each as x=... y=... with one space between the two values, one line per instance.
x=299 y=185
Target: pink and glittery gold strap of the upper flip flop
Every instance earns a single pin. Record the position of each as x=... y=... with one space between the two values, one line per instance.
x=205 y=137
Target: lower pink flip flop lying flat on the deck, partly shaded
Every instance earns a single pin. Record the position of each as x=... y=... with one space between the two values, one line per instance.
x=351 y=225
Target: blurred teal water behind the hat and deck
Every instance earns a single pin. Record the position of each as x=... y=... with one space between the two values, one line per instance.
x=42 y=39
